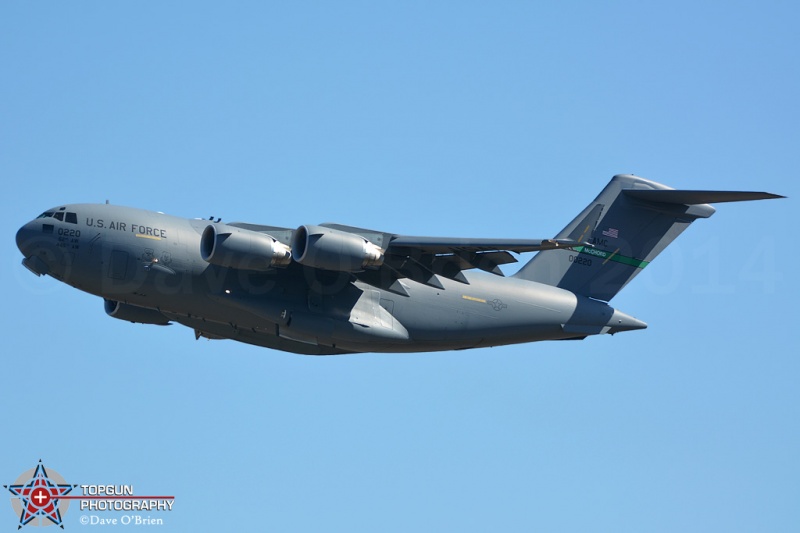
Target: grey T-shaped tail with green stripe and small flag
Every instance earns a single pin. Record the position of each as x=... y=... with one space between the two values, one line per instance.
x=629 y=223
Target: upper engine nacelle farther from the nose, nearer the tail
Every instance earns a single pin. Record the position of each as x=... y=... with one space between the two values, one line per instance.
x=331 y=249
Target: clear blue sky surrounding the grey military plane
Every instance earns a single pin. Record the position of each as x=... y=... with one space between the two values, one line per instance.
x=479 y=119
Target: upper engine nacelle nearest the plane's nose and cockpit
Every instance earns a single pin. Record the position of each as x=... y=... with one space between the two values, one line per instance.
x=233 y=247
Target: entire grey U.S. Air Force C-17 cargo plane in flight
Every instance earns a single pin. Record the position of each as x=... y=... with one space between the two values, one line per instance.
x=334 y=289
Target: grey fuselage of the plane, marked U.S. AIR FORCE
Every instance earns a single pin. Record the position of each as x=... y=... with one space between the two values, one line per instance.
x=149 y=268
